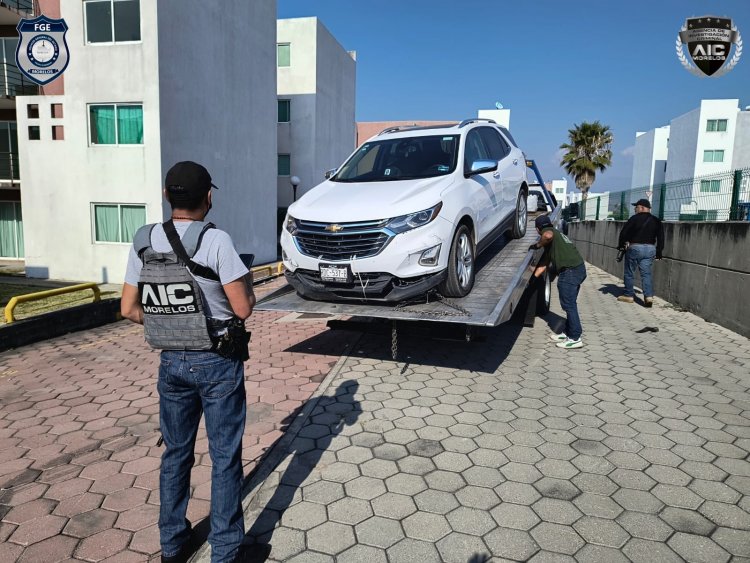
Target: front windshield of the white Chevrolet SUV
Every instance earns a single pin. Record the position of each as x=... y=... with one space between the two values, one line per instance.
x=403 y=158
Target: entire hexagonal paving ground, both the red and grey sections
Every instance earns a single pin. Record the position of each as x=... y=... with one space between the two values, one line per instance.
x=634 y=448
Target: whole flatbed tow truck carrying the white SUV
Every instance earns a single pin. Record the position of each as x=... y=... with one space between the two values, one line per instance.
x=500 y=288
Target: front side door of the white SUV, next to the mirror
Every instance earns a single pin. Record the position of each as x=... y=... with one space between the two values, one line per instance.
x=482 y=196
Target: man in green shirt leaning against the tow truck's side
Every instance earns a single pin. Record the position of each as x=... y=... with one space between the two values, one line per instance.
x=571 y=271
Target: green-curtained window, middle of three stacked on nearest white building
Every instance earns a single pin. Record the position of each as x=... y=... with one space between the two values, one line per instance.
x=116 y=124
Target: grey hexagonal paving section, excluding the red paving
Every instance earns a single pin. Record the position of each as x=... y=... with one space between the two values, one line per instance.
x=634 y=448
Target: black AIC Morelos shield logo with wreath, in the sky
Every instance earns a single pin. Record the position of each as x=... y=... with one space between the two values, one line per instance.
x=709 y=40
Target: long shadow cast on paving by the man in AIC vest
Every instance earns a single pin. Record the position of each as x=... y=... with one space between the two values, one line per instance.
x=331 y=413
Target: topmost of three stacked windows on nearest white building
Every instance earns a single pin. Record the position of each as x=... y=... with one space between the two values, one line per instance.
x=112 y=21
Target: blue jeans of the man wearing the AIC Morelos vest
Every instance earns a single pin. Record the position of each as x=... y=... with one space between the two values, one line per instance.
x=191 y=382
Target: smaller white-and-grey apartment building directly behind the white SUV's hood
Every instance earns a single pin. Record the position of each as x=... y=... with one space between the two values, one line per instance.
x=316 y=99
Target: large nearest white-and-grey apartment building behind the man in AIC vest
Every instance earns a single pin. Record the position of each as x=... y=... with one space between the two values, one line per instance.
x=149 y=84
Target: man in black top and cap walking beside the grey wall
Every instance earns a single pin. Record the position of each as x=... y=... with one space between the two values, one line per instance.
x=643 y=238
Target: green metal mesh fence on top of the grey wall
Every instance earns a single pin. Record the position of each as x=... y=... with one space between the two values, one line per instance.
x=715 y=197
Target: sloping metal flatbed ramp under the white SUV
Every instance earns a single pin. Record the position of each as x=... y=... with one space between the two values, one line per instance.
x=502 y=272
